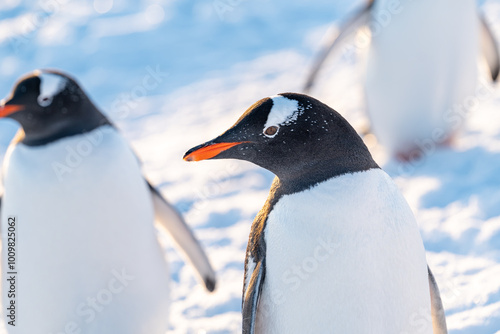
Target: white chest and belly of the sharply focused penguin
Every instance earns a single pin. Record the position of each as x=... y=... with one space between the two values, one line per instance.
x=344 y=257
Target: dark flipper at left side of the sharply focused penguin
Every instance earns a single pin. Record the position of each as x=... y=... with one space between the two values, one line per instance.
x=251 y=299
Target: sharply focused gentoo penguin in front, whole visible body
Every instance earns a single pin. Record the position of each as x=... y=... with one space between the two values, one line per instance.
x=336 y=248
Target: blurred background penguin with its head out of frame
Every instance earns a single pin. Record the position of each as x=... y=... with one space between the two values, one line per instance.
x=422 y=68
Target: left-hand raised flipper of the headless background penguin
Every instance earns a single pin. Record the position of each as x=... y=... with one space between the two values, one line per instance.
x=336 y=37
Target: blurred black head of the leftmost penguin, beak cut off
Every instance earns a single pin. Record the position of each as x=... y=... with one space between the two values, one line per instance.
x=49 y=105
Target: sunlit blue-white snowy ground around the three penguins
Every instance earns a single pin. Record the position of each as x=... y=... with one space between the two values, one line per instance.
x=173 y=74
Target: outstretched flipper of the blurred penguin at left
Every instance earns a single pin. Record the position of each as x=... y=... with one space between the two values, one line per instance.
x=168 y=217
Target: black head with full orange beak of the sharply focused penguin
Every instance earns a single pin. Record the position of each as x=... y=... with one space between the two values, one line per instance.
x=290 y=135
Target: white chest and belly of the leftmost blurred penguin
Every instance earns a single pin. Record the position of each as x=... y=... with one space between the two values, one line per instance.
x=84 y=214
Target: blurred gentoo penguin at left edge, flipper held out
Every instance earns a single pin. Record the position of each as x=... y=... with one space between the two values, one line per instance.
x=77 y=221
